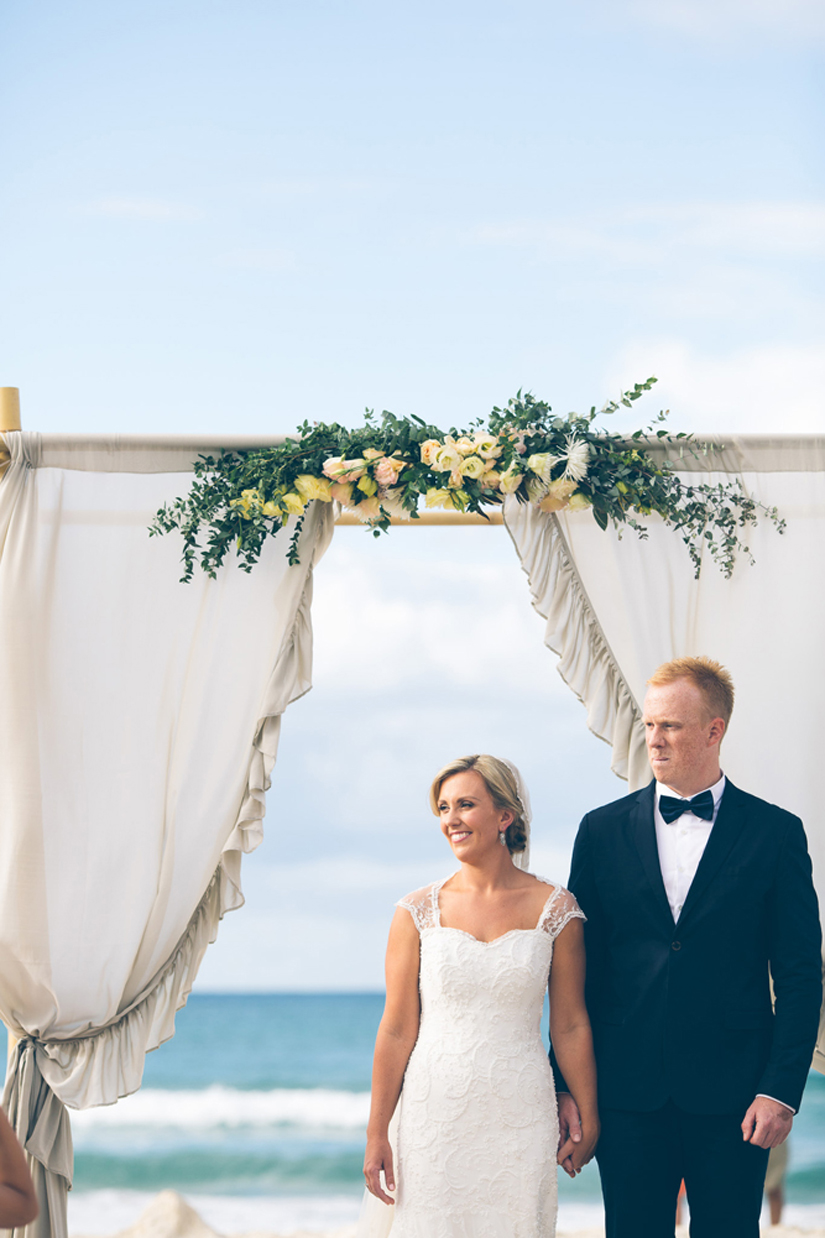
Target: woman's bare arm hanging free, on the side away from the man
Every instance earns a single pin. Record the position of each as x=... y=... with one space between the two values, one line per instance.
x=397 y=1036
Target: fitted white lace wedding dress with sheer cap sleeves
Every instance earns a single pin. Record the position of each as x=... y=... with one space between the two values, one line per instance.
x=476 y=1131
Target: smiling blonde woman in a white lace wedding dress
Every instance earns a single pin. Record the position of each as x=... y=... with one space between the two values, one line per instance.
x=459 y=1067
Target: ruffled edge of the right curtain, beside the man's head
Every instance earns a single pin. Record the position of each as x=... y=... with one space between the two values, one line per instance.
x=573 y=631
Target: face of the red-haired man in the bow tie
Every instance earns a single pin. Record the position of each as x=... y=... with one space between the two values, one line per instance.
x=682 y=737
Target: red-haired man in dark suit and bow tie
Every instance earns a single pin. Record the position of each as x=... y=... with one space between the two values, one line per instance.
x=694 y=892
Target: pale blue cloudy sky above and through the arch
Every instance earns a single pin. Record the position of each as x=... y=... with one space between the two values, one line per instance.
x=230 y=217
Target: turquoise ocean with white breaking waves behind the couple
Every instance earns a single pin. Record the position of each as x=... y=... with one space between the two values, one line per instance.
x=256 y=1112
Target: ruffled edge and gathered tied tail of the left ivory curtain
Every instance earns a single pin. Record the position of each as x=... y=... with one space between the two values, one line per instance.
x=39 y=1071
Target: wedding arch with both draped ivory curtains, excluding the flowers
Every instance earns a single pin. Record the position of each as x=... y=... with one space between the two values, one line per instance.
x=141 y=717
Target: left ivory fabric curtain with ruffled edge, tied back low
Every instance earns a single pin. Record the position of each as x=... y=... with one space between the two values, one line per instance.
x=139 y=725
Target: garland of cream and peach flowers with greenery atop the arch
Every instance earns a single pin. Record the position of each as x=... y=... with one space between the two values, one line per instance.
x=390 y=467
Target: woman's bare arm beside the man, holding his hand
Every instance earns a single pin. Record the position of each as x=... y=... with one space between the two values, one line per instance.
x=573 y=1041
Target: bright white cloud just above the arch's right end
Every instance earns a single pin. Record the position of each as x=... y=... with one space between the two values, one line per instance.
x=779 y=388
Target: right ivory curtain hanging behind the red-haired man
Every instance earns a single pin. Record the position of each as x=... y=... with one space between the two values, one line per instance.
x=619 y=607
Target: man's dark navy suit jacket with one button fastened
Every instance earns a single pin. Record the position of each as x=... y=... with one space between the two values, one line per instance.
x=683 y=1011
